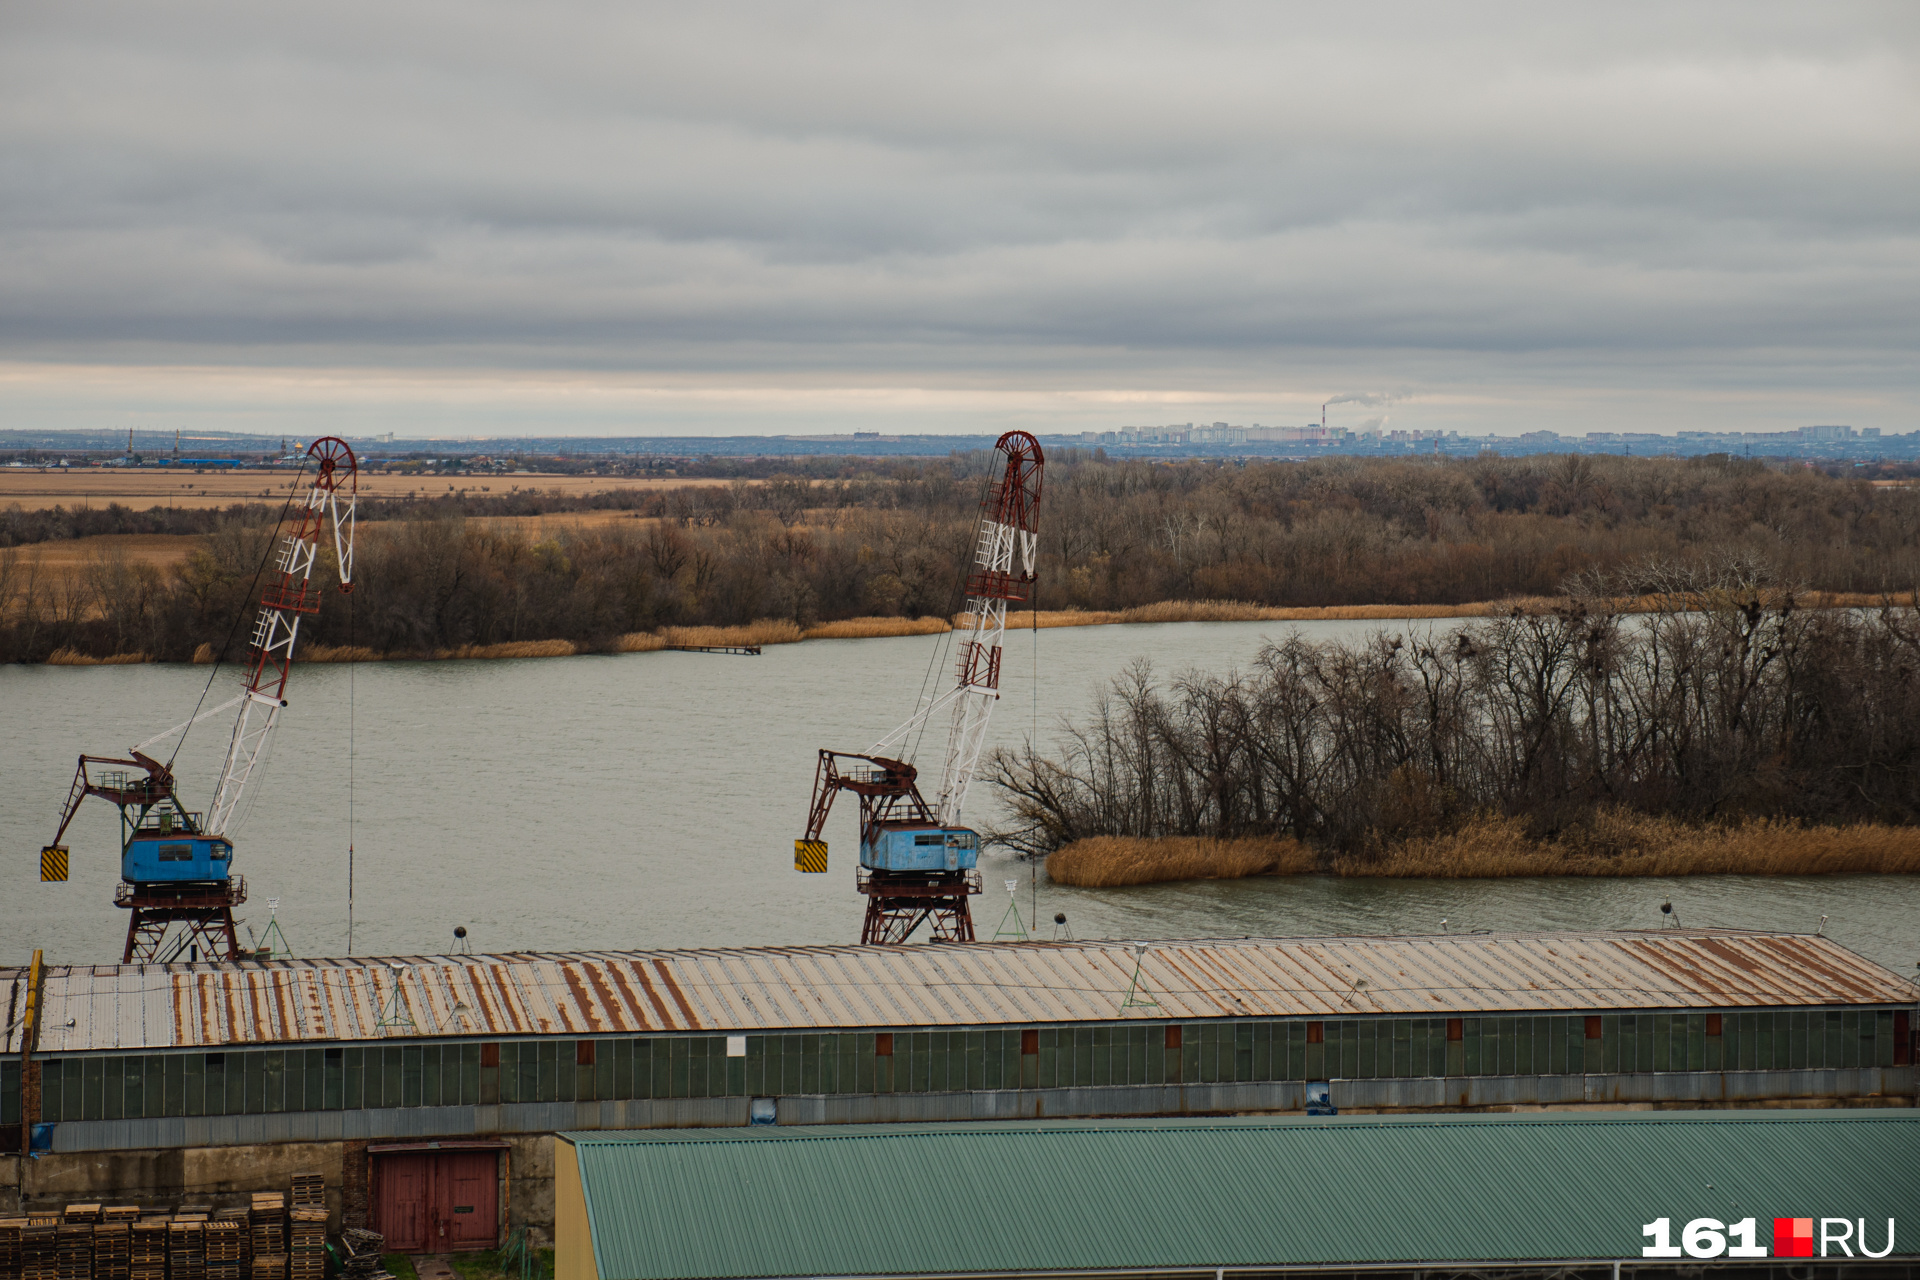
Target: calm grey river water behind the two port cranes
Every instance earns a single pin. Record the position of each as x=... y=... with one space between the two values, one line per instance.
x=648 y=801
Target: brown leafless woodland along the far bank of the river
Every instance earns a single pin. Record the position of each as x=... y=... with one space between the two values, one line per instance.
x=884 y=540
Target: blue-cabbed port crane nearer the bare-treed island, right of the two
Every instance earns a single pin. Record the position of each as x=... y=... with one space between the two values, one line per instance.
x=919 y=865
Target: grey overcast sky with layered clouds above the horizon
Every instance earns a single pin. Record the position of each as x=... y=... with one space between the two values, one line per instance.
x=469 y=220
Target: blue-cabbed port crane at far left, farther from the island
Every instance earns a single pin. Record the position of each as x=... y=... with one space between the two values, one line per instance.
x=176 y=863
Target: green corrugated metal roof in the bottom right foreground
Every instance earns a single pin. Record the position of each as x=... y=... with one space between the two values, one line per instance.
x=1239 y=1193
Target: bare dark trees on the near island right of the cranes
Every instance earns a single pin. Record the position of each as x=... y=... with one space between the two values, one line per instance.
x=1725 y=703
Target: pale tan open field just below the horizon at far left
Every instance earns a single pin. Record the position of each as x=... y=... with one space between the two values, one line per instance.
x=143 y=486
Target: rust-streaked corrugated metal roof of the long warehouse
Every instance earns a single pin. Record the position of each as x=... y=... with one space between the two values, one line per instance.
x=980 y=985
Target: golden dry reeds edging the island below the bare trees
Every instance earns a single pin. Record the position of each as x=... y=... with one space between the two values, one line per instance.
x=1616 y=843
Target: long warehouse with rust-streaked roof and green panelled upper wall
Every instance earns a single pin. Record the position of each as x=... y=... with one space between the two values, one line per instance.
x=418 y=1081
